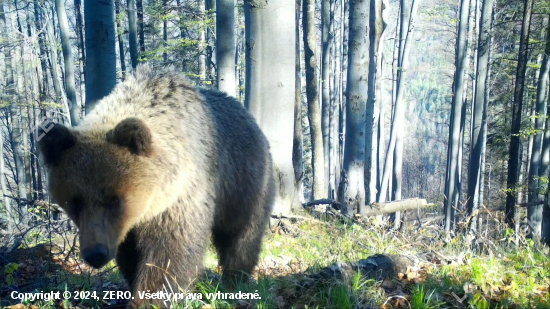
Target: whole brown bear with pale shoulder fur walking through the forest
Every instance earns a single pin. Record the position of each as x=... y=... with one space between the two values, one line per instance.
x=155 y=170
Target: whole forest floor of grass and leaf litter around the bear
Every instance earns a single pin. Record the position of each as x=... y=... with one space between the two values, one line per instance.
x=311 y=263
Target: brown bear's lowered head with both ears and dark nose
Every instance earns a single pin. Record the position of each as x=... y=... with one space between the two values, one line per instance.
x=103 y=181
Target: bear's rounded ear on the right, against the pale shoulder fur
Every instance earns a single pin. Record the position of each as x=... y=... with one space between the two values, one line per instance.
x=133 y=134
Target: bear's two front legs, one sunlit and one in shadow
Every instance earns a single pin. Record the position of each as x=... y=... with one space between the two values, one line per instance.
x=163 y=257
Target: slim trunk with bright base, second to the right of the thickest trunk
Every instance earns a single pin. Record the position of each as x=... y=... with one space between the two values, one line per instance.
x=312 y=92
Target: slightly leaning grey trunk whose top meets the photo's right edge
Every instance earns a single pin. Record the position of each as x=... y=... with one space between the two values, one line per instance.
x=534 y=213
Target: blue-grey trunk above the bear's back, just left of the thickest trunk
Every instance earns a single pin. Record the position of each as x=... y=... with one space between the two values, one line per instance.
x=225 y=45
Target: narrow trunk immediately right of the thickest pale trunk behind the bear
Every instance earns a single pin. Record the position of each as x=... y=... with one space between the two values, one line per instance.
x=297 y=148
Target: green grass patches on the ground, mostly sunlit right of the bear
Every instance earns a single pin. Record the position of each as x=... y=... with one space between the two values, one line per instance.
x=506 y=272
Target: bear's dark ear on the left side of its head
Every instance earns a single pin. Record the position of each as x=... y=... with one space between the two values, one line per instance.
x=53 y=140
